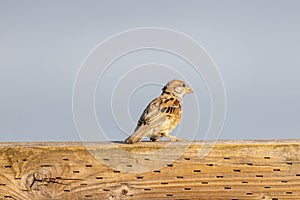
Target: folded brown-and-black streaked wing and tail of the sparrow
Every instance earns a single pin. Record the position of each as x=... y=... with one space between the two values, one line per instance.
x=153 y=118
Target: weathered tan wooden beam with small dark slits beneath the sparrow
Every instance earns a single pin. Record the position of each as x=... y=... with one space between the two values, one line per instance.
x=232 y=170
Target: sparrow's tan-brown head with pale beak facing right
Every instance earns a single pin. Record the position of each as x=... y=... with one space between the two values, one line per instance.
x=178 y=88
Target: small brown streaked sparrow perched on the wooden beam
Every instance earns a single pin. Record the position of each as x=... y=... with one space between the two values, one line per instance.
x=162 y=114
